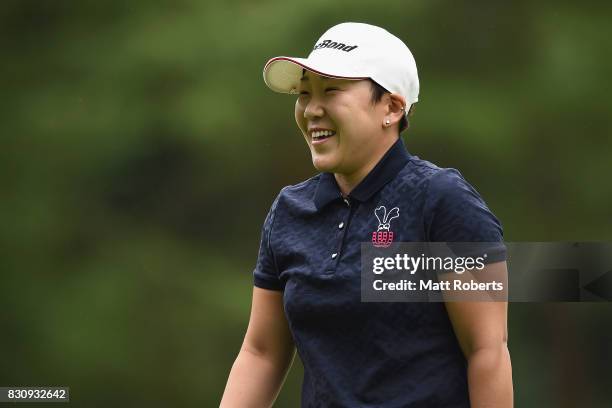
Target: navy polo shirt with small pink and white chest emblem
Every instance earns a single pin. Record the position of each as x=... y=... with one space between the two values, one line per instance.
x=380 y=354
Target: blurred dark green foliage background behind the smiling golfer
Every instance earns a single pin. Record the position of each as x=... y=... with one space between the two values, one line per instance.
x=140 y=151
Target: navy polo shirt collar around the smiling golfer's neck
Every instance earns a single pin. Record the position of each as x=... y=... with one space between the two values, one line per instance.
x=385 y=170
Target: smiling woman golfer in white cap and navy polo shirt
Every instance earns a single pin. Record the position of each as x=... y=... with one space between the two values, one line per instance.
x=354 y=94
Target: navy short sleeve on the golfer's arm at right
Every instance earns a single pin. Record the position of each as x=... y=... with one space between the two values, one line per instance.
x=455 y=212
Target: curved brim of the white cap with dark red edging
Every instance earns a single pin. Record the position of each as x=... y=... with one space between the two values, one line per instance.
x=283 y=74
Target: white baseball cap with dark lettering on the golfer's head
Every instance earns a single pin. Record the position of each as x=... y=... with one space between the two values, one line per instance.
x=351 y=51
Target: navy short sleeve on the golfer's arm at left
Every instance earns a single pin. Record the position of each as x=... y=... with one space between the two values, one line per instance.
x=265 y=274
